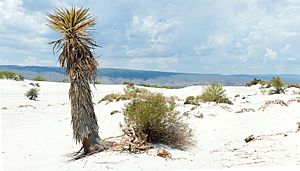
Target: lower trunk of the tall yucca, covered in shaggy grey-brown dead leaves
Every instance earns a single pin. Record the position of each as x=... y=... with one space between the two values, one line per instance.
x=84 y=121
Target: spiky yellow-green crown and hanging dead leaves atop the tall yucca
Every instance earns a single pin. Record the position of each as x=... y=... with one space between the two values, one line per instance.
x=75 y=26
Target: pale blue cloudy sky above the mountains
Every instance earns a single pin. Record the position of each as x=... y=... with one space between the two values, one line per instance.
x=200 y=36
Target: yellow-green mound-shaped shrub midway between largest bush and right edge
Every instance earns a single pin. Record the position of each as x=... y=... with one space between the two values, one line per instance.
x=214 y=93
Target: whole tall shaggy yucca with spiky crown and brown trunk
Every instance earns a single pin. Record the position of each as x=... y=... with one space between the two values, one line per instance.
x=77 y=58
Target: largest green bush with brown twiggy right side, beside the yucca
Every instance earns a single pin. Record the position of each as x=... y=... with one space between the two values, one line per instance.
x=154 y=116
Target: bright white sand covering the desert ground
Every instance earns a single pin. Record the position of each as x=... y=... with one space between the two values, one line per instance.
x=37 y=135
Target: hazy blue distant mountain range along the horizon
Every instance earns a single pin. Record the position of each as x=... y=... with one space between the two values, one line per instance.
x=118 y=76
